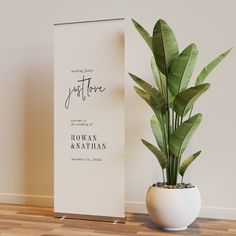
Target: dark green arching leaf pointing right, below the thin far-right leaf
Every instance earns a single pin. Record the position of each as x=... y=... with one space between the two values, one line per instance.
x=184 y=101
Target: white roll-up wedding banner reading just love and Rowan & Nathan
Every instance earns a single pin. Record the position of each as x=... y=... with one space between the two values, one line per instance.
x=89 y=120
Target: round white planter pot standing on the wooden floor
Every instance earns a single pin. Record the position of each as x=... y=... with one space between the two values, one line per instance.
x=173 y=209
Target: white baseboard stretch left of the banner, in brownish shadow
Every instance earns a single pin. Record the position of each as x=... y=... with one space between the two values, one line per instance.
x=34 y=200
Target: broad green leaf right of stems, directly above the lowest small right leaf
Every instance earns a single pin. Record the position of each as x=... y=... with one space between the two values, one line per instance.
x=181 y=136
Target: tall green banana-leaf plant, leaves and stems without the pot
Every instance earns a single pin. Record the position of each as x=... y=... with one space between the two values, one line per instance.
x=172 y=99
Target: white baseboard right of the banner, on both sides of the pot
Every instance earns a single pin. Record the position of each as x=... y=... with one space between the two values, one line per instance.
x=205 y=212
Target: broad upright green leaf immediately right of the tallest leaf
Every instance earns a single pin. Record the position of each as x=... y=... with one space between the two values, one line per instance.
x=182 y=69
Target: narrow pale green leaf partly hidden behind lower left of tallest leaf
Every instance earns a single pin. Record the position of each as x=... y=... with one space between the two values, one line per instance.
x=158 y=76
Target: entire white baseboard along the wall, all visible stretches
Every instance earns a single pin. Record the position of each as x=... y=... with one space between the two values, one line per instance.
x=134 y=207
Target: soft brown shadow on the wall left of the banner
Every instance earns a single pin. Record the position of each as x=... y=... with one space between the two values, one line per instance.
x=39 y=126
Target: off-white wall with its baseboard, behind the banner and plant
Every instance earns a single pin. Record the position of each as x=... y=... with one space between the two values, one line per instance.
x=26 y=96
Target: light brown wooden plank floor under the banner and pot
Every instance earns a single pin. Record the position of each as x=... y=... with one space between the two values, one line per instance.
x=27 y=221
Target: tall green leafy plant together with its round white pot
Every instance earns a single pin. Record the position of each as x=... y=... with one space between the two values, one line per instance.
x=172 y=204
